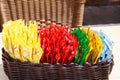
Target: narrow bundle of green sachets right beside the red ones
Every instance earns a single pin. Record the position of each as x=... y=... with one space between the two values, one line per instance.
x=83 y=48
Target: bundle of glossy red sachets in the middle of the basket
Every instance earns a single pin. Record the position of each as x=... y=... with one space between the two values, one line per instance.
x=58 y=43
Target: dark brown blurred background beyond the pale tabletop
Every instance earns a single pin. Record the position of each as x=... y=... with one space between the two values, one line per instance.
x=98 y=12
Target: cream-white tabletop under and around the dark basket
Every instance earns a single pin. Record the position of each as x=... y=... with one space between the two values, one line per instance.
x=112 y=30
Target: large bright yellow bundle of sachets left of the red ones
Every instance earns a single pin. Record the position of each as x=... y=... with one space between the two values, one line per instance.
x=21 y=41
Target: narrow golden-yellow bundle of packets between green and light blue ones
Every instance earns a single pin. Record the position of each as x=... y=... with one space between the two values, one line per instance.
x=95 y=45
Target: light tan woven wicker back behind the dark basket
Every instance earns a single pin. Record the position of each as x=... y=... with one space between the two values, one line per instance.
x=44 y=11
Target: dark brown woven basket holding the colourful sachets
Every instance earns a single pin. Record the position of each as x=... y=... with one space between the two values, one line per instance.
x=17 y=70
